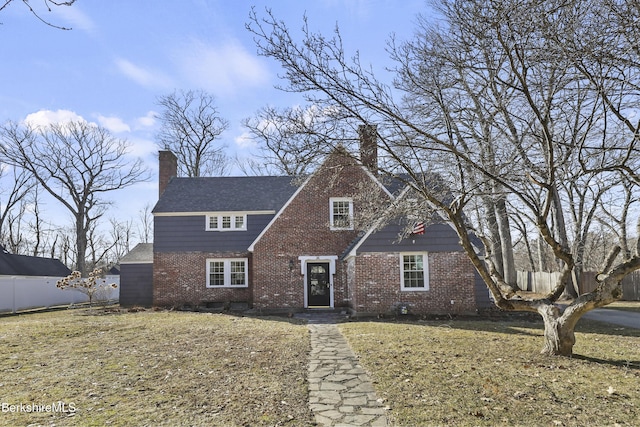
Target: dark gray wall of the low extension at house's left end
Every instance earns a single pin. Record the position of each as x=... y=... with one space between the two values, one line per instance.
x=136 y=285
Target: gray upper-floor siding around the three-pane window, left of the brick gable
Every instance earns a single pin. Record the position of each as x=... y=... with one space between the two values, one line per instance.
x=187 y=233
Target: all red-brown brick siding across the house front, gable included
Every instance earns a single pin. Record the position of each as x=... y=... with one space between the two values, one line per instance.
x=368 y=283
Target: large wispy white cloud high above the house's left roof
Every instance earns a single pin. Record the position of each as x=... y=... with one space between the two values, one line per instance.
x=222 y=69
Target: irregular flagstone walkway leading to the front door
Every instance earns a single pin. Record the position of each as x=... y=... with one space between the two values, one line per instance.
x=340 y=391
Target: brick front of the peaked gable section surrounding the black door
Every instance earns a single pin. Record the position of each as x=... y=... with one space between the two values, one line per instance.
x=302 y=229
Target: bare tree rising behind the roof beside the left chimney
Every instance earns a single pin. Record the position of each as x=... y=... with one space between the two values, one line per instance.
x=191 y=127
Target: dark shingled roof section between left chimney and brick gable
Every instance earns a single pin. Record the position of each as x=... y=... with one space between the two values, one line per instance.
x=226 y=194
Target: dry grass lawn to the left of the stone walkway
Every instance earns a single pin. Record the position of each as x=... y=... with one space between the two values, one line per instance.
x=154 y=368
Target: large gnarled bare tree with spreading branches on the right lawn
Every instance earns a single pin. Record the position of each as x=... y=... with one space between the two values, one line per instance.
x=504 y=104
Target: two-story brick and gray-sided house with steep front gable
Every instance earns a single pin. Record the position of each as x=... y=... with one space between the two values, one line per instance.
x=276 y=244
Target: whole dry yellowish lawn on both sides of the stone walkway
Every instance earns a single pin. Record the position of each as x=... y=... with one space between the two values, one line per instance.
x=171 y=368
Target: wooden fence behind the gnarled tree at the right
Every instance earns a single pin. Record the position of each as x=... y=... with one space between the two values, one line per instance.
x=542 y=282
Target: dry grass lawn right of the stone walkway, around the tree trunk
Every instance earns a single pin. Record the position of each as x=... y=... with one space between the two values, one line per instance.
x=475 y=373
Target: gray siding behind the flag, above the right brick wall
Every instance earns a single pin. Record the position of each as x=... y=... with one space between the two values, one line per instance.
x=436 y=238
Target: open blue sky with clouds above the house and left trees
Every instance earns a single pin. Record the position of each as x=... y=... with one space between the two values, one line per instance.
x=122 y=54
